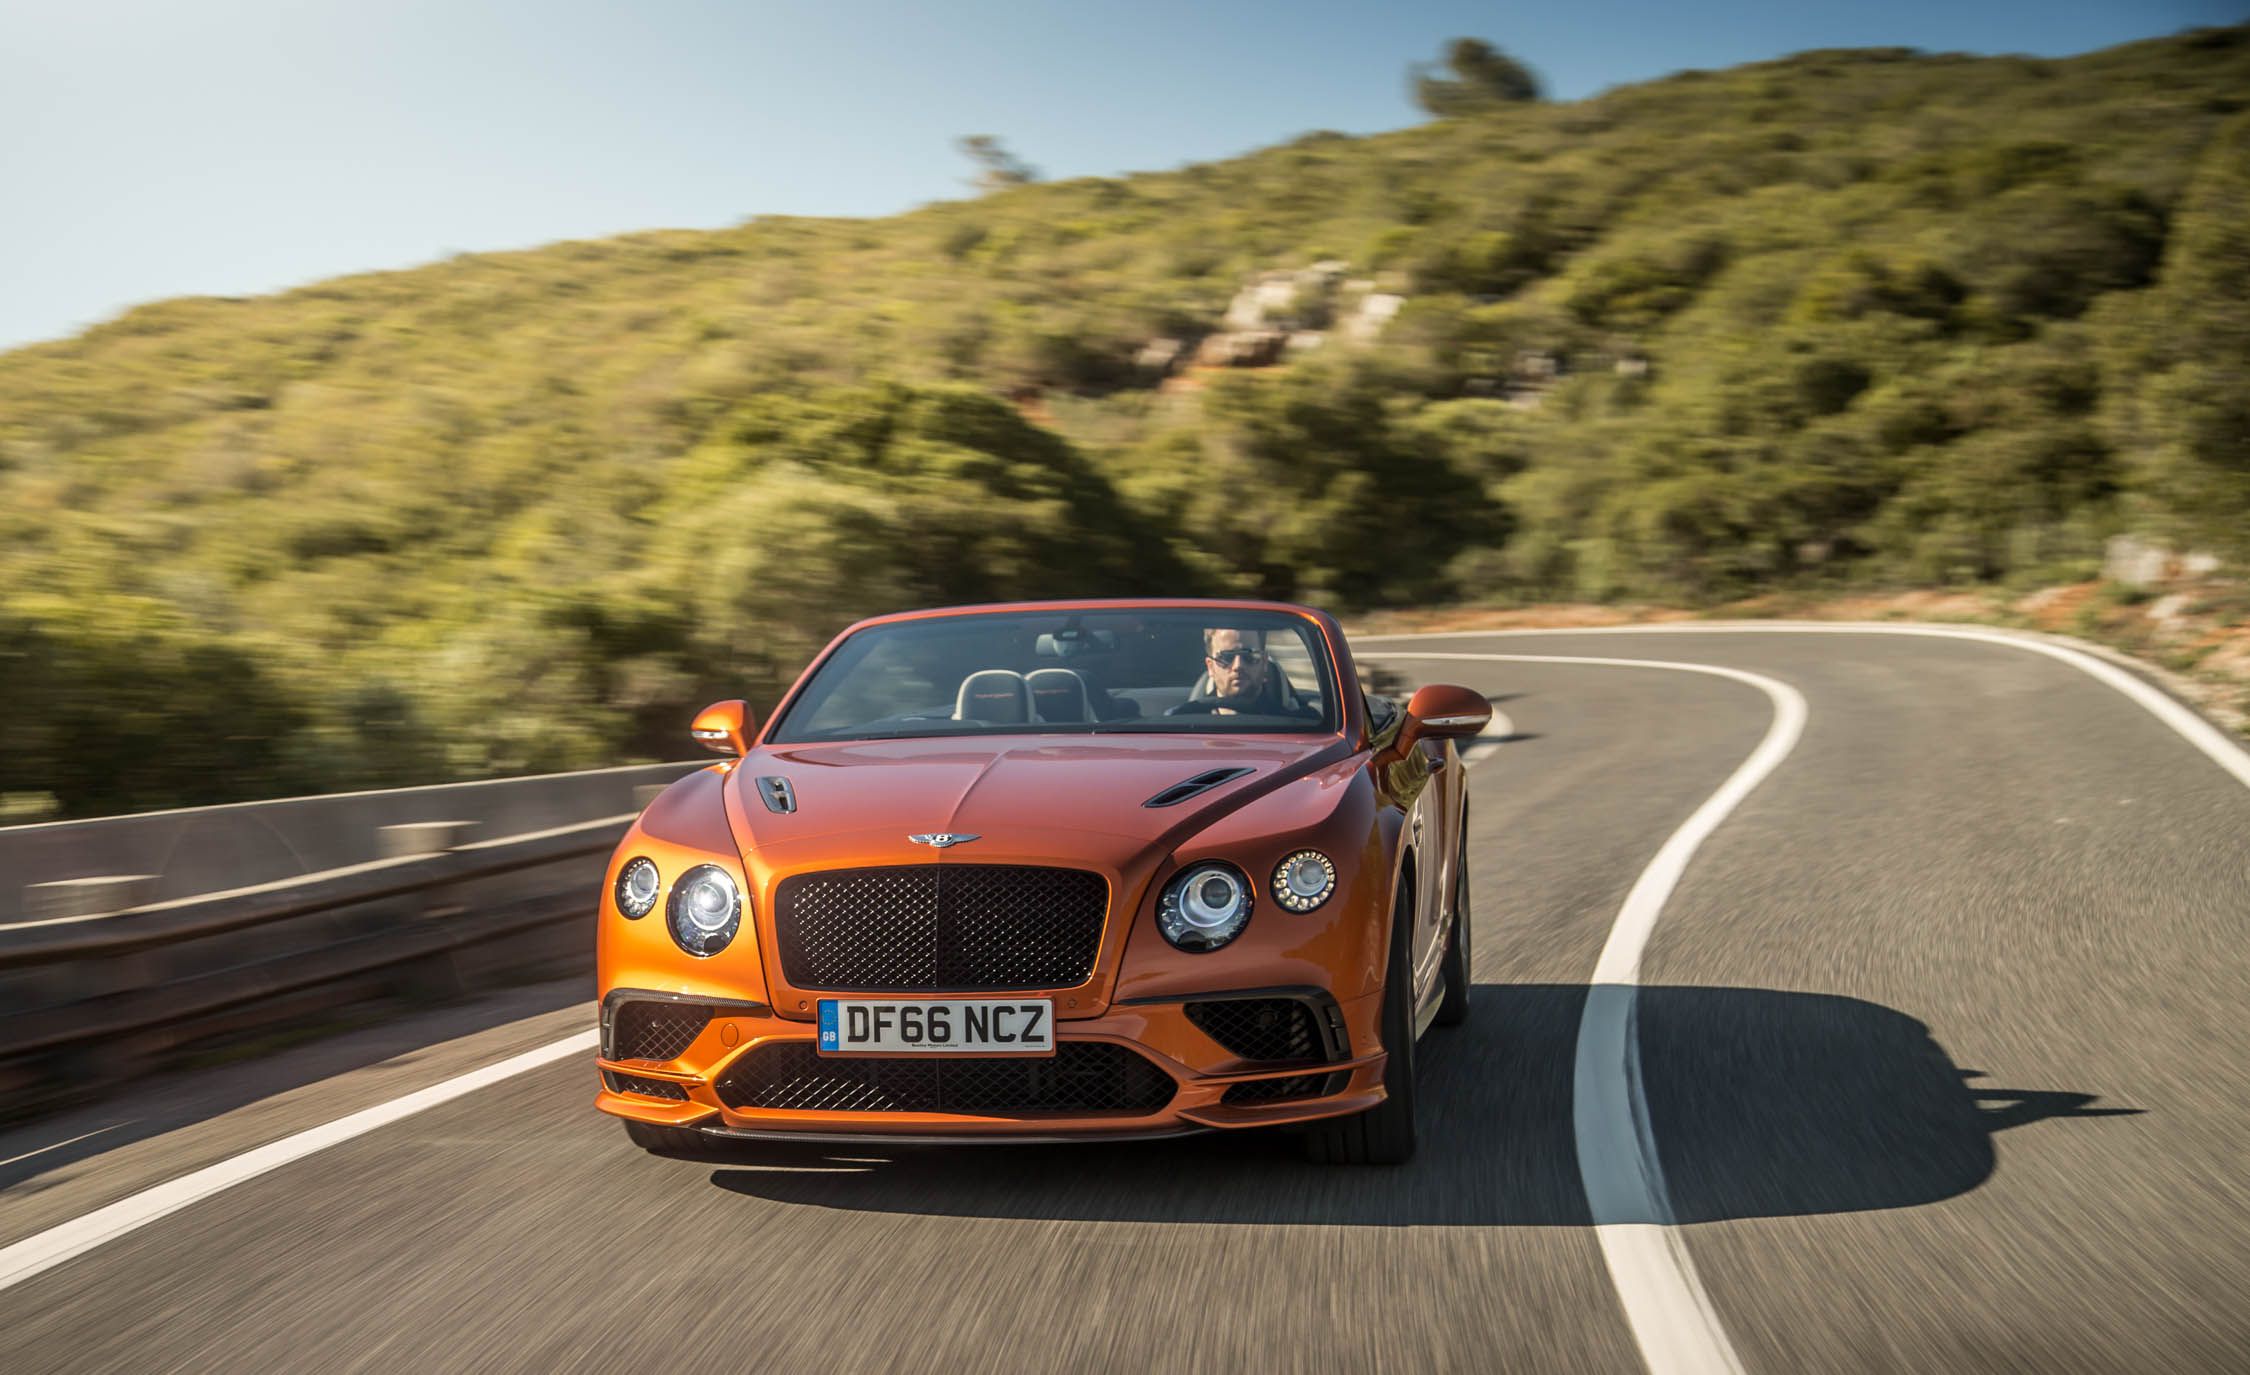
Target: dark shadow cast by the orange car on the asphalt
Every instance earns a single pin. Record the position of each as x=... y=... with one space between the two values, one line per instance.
x=1763 y=1106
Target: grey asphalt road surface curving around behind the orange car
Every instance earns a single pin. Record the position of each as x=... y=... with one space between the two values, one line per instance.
x=1943 y=1050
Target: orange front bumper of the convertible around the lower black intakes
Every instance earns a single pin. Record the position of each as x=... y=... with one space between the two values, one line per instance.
x=703 y=1081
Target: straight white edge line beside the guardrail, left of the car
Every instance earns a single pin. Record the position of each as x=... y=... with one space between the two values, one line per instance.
x=78 y=1237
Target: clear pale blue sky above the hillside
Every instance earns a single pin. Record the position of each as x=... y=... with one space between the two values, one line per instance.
x=231 y=147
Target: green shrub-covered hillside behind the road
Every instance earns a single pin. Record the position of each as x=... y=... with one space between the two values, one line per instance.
x=1851 y=318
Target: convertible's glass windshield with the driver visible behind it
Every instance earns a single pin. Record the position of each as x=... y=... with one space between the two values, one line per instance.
x=1180 y=672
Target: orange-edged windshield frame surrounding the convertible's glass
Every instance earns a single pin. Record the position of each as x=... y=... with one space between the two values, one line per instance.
x=1322 y=647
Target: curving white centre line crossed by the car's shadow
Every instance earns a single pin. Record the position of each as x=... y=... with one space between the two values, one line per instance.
x=1617 y=1149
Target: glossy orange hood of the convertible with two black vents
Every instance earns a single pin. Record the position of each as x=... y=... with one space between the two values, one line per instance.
x=1023 y=798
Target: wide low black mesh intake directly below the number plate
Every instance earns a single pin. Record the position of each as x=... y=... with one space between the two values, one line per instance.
x=1081 y=1077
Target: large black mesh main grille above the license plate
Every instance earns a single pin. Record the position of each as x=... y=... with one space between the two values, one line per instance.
x=942 y=928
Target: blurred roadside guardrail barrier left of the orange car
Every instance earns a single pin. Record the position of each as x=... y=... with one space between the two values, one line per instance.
x=93 y=998
